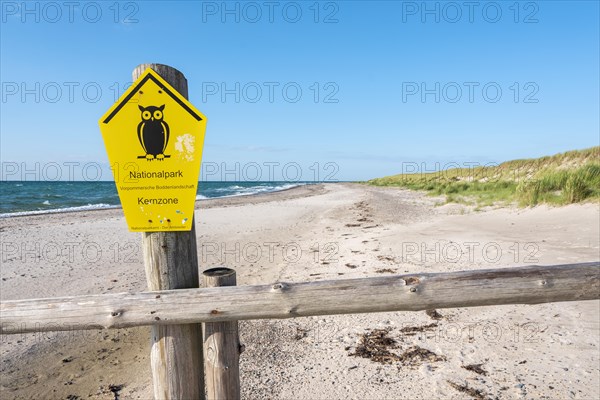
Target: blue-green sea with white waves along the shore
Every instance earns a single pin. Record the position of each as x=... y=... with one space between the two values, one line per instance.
x=35 y=197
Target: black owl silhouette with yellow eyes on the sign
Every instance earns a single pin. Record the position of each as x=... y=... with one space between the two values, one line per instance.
x=153 y=133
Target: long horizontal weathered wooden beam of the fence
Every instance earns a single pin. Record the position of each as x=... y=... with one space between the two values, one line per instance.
x=411 y=292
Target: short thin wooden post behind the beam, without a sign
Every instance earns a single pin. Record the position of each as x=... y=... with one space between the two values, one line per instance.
x=221 y=346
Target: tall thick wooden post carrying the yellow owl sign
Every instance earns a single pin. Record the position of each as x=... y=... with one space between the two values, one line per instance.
x=171 y=262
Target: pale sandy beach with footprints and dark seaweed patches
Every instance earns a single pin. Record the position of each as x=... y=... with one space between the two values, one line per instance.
x=318 y=232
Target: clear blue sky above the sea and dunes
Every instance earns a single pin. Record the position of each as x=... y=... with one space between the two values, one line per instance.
x=351 y=89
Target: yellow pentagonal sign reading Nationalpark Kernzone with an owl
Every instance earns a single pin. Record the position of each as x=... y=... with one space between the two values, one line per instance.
x=154 y=138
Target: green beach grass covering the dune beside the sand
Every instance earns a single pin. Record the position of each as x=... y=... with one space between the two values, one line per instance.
x=564 y=178
